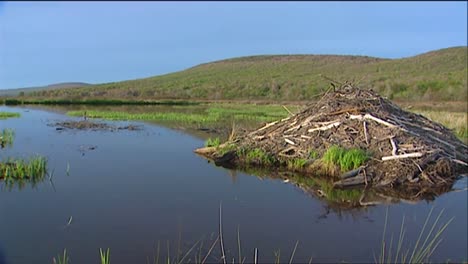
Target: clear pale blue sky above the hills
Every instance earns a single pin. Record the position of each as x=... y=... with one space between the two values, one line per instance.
x=49 y=42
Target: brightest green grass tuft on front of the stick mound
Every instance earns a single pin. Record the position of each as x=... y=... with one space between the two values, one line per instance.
x=346 y=159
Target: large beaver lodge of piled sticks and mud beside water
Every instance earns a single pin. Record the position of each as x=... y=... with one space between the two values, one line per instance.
x=355 y=137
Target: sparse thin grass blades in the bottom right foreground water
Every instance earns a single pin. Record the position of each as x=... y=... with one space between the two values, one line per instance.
x=421 y=251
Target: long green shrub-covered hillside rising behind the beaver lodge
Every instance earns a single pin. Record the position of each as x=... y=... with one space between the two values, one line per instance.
x=437 y=75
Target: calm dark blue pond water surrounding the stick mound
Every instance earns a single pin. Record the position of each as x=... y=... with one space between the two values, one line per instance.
x=130 y=190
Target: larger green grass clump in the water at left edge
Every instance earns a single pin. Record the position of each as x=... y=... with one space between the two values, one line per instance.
x=18 y=169
